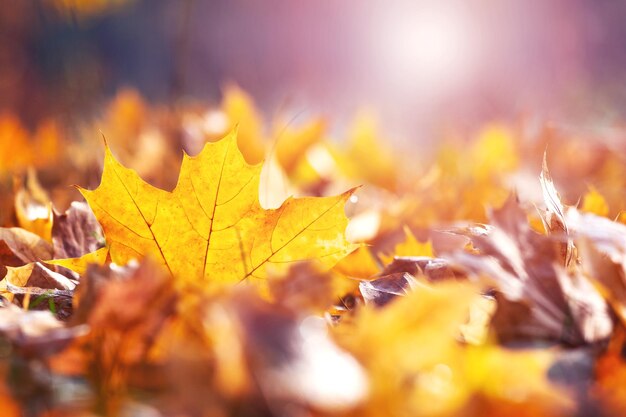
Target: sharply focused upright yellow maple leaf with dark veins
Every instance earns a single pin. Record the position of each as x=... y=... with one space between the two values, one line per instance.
x=211 y=226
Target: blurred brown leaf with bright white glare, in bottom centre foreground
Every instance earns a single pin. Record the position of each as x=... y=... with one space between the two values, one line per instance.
x=295 y=357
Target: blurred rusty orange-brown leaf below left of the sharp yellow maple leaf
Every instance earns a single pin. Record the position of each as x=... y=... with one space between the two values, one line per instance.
x=126 y=309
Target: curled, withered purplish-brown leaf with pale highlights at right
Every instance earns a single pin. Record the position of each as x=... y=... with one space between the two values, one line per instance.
x=538 y=297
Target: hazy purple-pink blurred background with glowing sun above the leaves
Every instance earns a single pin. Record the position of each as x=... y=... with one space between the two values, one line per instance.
x=421 y=65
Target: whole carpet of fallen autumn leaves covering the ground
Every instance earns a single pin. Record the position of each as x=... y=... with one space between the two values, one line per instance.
x=208 y=262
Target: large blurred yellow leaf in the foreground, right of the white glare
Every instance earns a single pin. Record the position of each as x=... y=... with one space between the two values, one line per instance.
x=440 y=376
